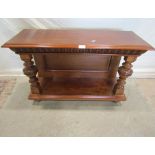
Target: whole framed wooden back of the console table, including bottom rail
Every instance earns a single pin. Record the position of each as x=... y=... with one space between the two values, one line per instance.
x=73 y=65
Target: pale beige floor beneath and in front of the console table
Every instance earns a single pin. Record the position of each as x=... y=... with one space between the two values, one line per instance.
x=135 y=117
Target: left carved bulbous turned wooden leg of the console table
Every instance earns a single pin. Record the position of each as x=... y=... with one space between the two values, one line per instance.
x=31 y=70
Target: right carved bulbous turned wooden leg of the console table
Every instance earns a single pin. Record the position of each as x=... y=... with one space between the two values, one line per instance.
x=124 y=72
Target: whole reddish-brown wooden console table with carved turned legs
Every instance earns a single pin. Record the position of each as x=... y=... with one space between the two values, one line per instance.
x=77 y=64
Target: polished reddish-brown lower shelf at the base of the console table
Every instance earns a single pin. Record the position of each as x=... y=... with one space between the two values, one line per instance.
x=76 y=89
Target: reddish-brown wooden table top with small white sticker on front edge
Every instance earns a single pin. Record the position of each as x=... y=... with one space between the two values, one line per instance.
x=78 y=38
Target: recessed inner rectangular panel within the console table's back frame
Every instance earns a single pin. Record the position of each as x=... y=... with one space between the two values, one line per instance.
x=65 y=61
